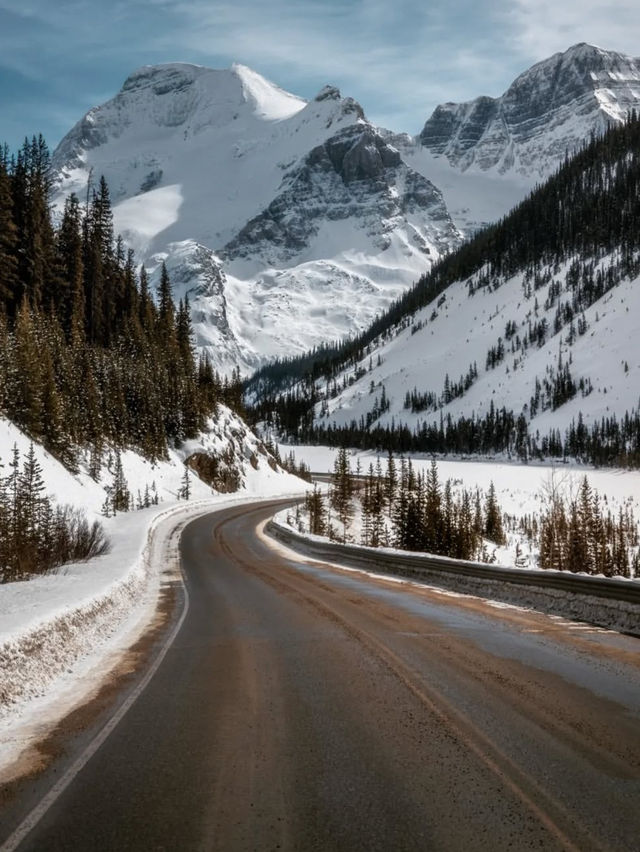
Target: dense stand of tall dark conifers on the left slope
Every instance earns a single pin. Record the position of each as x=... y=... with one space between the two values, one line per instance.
x=88 y=358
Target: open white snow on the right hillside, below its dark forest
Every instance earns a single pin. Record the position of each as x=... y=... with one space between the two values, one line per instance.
x=442 y=343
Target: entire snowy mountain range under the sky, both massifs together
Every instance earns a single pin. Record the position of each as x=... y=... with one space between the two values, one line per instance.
x=290 y=223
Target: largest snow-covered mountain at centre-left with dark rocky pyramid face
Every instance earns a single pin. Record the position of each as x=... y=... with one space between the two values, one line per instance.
x=266 y=208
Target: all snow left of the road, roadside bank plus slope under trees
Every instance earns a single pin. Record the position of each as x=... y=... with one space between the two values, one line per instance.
x=61 y=633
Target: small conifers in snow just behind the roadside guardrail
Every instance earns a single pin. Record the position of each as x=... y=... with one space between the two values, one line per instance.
x=413 y=511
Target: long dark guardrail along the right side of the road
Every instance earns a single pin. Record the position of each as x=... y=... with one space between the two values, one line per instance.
x=423 y=566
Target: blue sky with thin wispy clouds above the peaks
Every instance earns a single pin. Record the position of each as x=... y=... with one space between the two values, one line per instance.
x=399 y=58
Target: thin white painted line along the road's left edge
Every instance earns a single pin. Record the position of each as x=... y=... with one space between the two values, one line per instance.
x=34 y=817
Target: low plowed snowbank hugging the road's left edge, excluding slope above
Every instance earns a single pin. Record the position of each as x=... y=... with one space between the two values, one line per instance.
x=61 y=634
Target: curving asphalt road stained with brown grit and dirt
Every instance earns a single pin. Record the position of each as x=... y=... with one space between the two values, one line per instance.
x=305 y=708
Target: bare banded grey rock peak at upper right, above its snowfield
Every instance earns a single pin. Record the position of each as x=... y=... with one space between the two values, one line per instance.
x=548 y=110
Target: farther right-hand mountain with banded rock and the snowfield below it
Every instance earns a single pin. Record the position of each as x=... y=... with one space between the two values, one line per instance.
x=486 y=154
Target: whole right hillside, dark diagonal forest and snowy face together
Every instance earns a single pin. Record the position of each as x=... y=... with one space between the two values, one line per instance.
x=538 y=315
